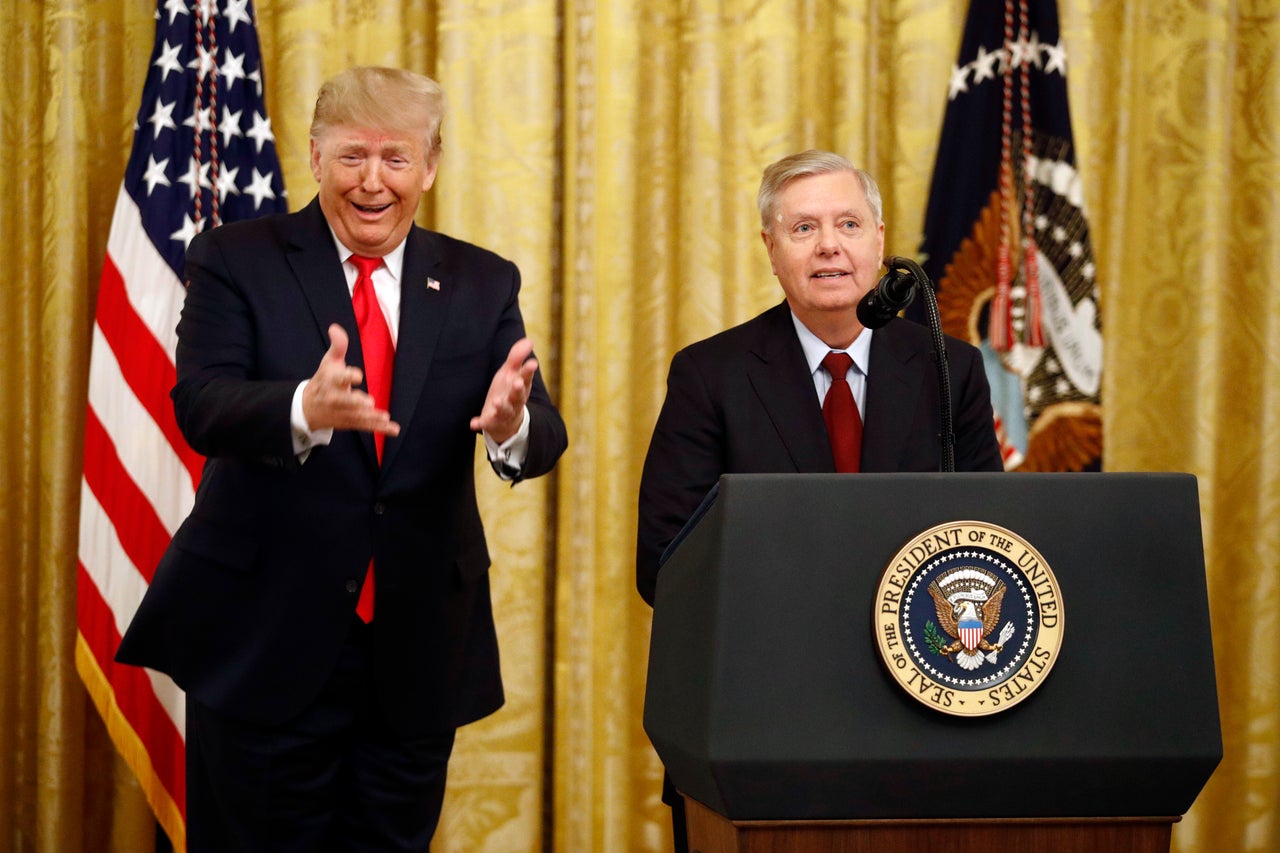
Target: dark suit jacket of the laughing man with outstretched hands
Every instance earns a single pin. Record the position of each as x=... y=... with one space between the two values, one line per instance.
x=254 y=597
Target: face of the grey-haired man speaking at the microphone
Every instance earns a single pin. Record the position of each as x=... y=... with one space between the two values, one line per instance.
x=825 y=247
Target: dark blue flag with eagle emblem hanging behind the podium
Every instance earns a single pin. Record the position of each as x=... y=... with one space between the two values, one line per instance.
x=1007 y=240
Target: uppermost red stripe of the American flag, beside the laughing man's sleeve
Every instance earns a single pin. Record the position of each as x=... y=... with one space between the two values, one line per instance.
x=144 y=363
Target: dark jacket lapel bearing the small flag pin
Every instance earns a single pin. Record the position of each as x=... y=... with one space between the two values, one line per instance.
x=423 y=312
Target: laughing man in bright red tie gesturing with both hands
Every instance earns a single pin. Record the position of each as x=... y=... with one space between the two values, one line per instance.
x=326 y=606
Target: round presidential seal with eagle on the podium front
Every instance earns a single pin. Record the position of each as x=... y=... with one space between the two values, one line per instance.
x=968 y=619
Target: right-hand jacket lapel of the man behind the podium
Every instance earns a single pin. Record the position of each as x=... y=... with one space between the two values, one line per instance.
x=894 y=381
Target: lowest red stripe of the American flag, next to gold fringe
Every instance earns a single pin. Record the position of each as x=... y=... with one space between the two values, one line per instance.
x=132 y=694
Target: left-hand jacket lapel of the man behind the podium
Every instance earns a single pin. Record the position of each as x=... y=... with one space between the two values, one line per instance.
x=780 y=377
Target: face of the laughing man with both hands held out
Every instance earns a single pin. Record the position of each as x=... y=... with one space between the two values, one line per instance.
x=371 y=185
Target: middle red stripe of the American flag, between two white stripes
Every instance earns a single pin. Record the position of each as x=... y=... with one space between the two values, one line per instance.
x=140 y=531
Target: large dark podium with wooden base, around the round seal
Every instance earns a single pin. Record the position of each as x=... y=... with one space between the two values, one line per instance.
x=776 y=718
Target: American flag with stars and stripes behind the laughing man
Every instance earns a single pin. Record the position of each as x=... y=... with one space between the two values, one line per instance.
x=203 y=154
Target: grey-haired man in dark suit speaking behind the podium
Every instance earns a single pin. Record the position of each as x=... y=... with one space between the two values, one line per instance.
x=751 y=399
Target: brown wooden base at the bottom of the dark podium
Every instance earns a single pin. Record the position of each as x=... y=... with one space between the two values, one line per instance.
x=712 y=833
